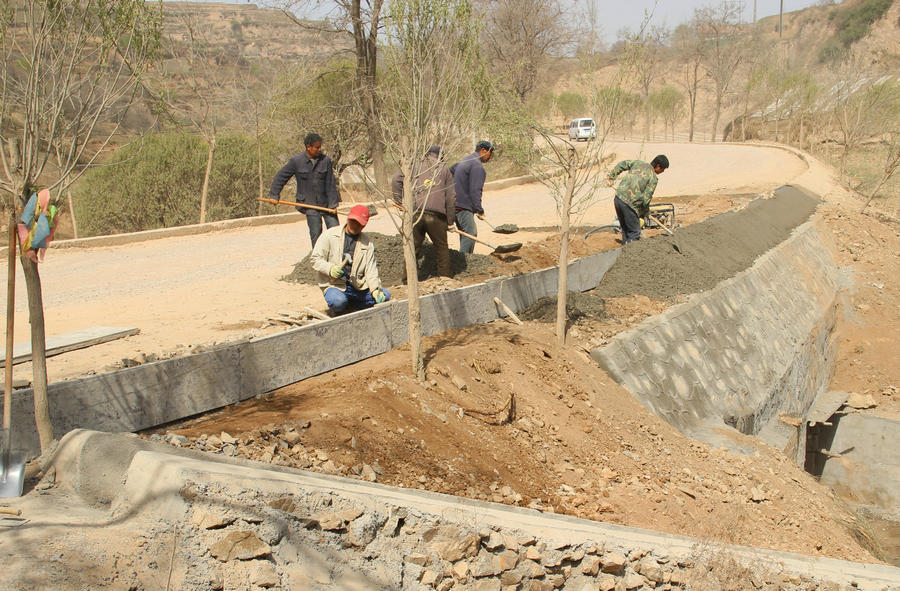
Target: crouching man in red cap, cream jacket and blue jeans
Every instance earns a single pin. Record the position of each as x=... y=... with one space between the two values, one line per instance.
x=344 y=257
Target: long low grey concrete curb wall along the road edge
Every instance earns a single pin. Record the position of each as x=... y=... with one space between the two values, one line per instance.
x=153 y=394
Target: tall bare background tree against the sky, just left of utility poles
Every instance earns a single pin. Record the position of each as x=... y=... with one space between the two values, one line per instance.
x=720 y=27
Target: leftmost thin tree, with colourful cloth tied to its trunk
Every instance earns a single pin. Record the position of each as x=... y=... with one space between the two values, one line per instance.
x=68 y=74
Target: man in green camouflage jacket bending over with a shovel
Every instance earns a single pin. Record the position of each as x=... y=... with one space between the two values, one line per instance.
x=634 y=193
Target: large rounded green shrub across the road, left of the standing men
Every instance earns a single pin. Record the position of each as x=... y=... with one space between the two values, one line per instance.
x=156 y=183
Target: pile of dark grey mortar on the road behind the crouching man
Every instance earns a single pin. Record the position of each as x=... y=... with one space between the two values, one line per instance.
x=389 y=257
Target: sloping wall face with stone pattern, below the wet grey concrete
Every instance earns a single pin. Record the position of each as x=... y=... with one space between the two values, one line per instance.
x=756 y=345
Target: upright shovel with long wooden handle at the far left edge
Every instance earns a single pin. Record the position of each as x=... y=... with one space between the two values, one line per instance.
x=12 y=464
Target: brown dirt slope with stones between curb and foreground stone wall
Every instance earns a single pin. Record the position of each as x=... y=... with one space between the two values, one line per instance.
x=504 y=417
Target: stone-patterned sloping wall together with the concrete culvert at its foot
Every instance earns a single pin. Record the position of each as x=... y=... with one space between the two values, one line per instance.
x=756 y=354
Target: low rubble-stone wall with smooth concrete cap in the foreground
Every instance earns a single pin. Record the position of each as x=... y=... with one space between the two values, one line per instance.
x=338 y=533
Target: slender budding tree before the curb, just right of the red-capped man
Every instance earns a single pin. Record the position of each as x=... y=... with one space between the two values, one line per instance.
x=432 y=84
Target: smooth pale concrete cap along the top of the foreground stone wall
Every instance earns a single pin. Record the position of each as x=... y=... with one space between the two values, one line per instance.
x=141 y=475
